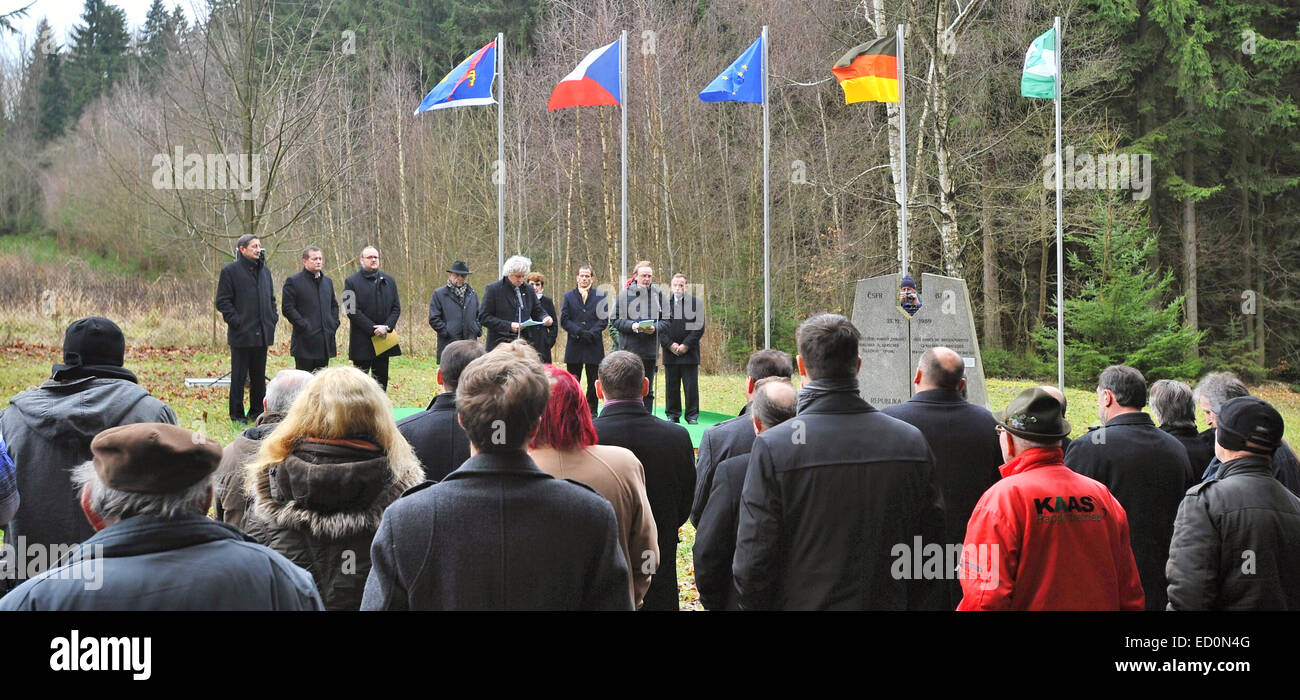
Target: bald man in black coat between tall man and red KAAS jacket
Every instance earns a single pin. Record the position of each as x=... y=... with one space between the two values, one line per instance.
x=963 y=437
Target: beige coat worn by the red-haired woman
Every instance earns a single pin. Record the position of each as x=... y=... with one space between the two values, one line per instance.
x=618 y=476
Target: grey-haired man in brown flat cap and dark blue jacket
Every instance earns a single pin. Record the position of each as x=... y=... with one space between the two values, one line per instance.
x=146 y=492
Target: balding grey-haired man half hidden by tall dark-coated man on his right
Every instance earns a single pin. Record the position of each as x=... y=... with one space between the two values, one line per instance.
x=716 y=542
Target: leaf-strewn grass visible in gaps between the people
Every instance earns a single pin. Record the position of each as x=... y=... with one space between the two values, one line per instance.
x=163 y=373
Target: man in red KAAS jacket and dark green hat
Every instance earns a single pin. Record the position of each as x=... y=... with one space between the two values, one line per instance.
x=1046 y=538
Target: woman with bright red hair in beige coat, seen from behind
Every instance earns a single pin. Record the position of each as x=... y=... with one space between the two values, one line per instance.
x=566 y=448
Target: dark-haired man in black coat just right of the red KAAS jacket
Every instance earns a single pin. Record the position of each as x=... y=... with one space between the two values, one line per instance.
x=1146 y=469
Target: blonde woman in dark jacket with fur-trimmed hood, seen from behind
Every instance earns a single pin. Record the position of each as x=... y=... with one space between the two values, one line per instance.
x=322 y=479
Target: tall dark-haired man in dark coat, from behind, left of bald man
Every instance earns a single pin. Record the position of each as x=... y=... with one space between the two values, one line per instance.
x=831 y=494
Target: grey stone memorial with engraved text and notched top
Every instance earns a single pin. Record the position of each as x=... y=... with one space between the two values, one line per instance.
x=892 y=342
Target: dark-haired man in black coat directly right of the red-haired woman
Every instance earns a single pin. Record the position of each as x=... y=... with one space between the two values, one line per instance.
x=666 y=455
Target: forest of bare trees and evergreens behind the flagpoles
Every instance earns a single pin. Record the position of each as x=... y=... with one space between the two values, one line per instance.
x=1194 y=275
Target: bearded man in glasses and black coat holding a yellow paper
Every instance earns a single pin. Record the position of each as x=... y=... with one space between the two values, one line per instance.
x=372 y=306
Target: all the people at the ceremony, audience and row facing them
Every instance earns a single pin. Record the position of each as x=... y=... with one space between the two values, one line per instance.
x=519 y=490
